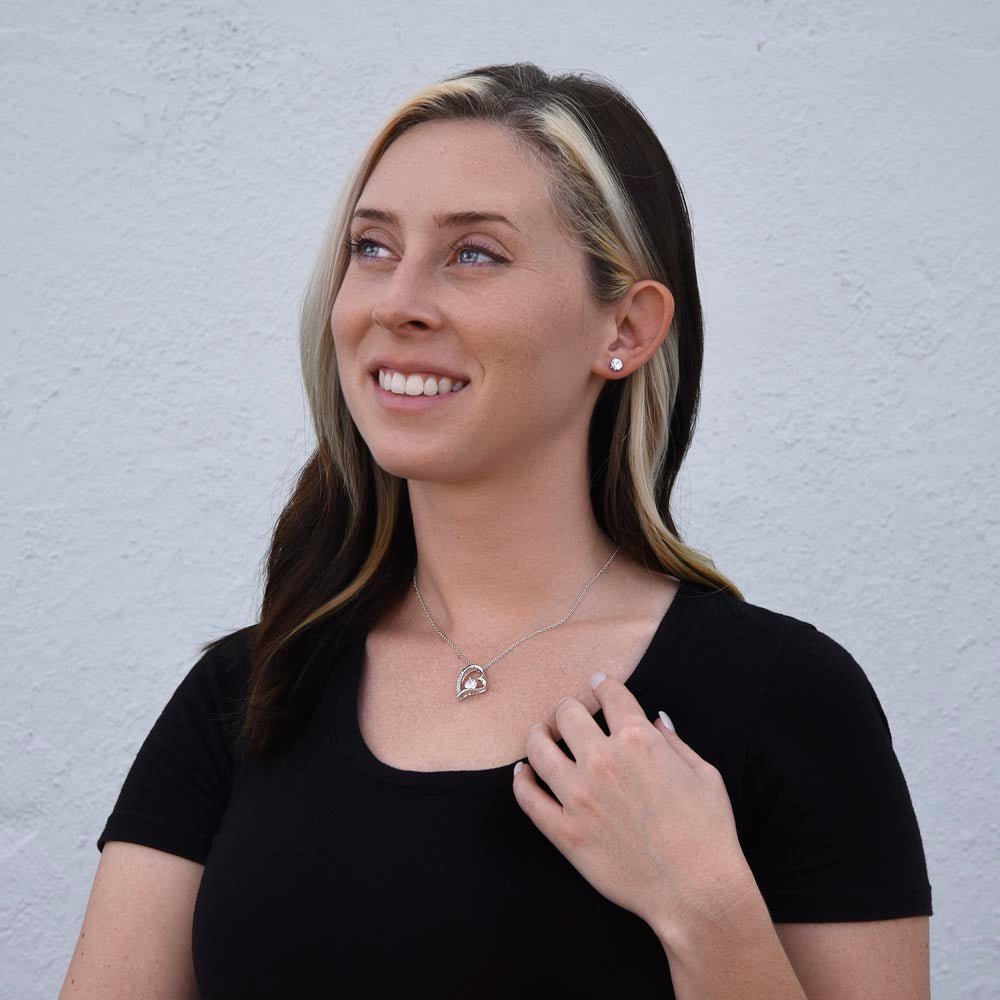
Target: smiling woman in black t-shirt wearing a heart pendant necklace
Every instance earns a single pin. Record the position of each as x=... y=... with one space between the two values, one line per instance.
x=502 y=347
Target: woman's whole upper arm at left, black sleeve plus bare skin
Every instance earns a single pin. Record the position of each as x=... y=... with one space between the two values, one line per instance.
x=136 y=938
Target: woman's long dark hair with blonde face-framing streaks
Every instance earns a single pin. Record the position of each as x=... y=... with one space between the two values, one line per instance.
x=343 y=548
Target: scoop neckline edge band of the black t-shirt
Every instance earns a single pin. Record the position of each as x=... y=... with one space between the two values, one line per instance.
x=347 y=736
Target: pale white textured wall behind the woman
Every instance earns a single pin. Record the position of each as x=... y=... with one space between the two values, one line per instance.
x=167 y=169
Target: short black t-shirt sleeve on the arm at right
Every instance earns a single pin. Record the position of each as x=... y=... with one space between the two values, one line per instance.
x=829 y=827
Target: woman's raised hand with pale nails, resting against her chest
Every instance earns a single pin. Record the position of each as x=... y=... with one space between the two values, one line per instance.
x=639 y=814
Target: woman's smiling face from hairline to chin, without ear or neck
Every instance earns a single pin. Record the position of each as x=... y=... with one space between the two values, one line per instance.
x=511 y=313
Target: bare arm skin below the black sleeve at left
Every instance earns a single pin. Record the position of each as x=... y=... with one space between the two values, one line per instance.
x=136 y=933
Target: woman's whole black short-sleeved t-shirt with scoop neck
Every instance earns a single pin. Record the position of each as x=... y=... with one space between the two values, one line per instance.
x=330 y=873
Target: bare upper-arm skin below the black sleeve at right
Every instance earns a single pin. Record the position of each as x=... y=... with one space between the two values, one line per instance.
x=860 y=960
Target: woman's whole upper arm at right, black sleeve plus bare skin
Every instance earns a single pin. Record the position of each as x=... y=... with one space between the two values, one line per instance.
x=829 y=830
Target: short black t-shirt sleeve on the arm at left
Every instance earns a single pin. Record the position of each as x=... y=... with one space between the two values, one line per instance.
x=176 y=791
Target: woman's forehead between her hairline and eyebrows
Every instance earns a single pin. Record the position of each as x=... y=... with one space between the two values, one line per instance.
x=441 y=167
